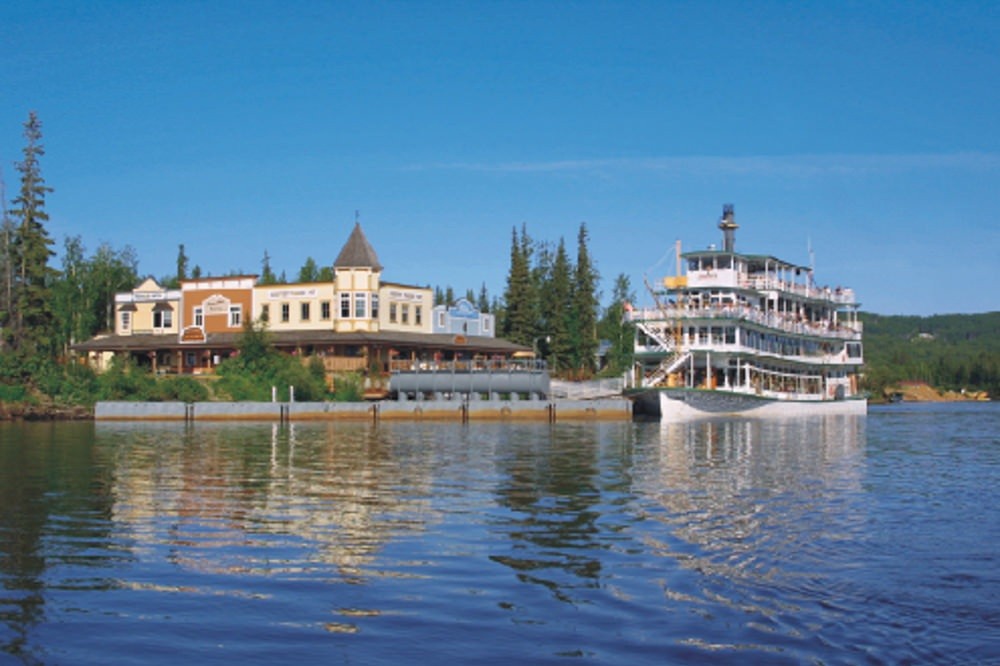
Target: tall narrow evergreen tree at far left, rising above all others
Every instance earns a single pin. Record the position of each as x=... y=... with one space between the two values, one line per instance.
x=32 y=323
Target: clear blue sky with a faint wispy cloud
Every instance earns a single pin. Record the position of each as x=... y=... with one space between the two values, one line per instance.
x=869 y=131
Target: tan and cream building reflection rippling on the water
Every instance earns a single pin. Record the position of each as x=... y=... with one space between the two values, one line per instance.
x=261 y=499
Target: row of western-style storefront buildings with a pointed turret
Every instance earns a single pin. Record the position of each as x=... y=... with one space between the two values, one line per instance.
x=357 y=321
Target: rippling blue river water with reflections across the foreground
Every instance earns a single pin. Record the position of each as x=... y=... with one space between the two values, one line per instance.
x=837 y=540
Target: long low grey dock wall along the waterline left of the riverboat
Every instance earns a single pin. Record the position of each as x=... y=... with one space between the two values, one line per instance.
x=610 y=409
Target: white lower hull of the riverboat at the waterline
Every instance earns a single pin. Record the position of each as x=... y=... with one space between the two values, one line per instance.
x=685 y=404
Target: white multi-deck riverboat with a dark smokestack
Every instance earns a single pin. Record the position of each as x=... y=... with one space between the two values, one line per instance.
x=746 y=334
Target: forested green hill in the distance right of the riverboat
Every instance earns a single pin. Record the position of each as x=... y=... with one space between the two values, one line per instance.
x=950 y=352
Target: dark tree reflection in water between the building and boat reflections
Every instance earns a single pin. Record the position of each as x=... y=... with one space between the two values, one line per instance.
x=552 y=491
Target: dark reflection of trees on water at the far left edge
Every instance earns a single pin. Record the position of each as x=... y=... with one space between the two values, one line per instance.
x=55 y=501
